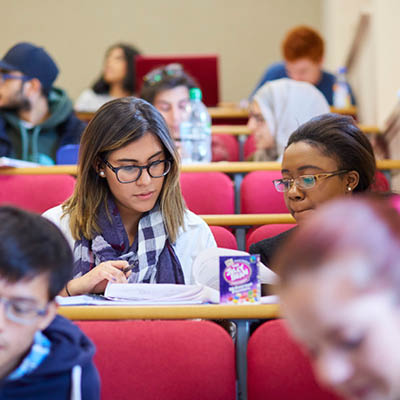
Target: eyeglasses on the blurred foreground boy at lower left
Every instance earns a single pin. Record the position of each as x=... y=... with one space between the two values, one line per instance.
x=22 y=312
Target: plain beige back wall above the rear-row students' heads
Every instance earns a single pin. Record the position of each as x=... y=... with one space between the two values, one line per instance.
x=246 y=34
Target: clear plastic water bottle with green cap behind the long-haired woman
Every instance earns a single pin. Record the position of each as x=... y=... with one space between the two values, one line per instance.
x=195 y=132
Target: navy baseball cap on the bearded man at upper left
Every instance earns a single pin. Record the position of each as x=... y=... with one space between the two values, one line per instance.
x=33 y=62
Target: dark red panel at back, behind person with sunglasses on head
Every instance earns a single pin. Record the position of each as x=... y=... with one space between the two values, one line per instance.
x=203 y=67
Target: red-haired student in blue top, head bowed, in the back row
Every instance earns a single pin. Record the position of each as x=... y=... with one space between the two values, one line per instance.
x=303 y=52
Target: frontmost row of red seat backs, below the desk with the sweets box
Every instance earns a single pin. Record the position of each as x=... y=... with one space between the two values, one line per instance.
x=173 y=360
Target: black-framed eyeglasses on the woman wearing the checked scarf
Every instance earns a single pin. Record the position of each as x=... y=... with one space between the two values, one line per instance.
x=131 y=173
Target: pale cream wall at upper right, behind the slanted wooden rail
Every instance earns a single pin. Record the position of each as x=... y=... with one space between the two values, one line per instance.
x=376 y=76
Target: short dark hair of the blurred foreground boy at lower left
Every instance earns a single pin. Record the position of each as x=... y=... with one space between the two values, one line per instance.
x=31 y=245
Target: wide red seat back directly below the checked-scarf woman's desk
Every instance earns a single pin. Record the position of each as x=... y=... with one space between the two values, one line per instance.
x=166 y=360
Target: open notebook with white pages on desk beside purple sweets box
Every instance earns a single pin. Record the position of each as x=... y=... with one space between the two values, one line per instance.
x=205 y=287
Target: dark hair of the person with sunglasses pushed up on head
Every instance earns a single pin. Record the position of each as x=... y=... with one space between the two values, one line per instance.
x=151 y=90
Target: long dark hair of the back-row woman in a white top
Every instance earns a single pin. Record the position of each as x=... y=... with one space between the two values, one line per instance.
x=129 y=84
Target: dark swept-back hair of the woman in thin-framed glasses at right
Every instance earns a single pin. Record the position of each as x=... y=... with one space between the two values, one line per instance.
x=337 y=136
